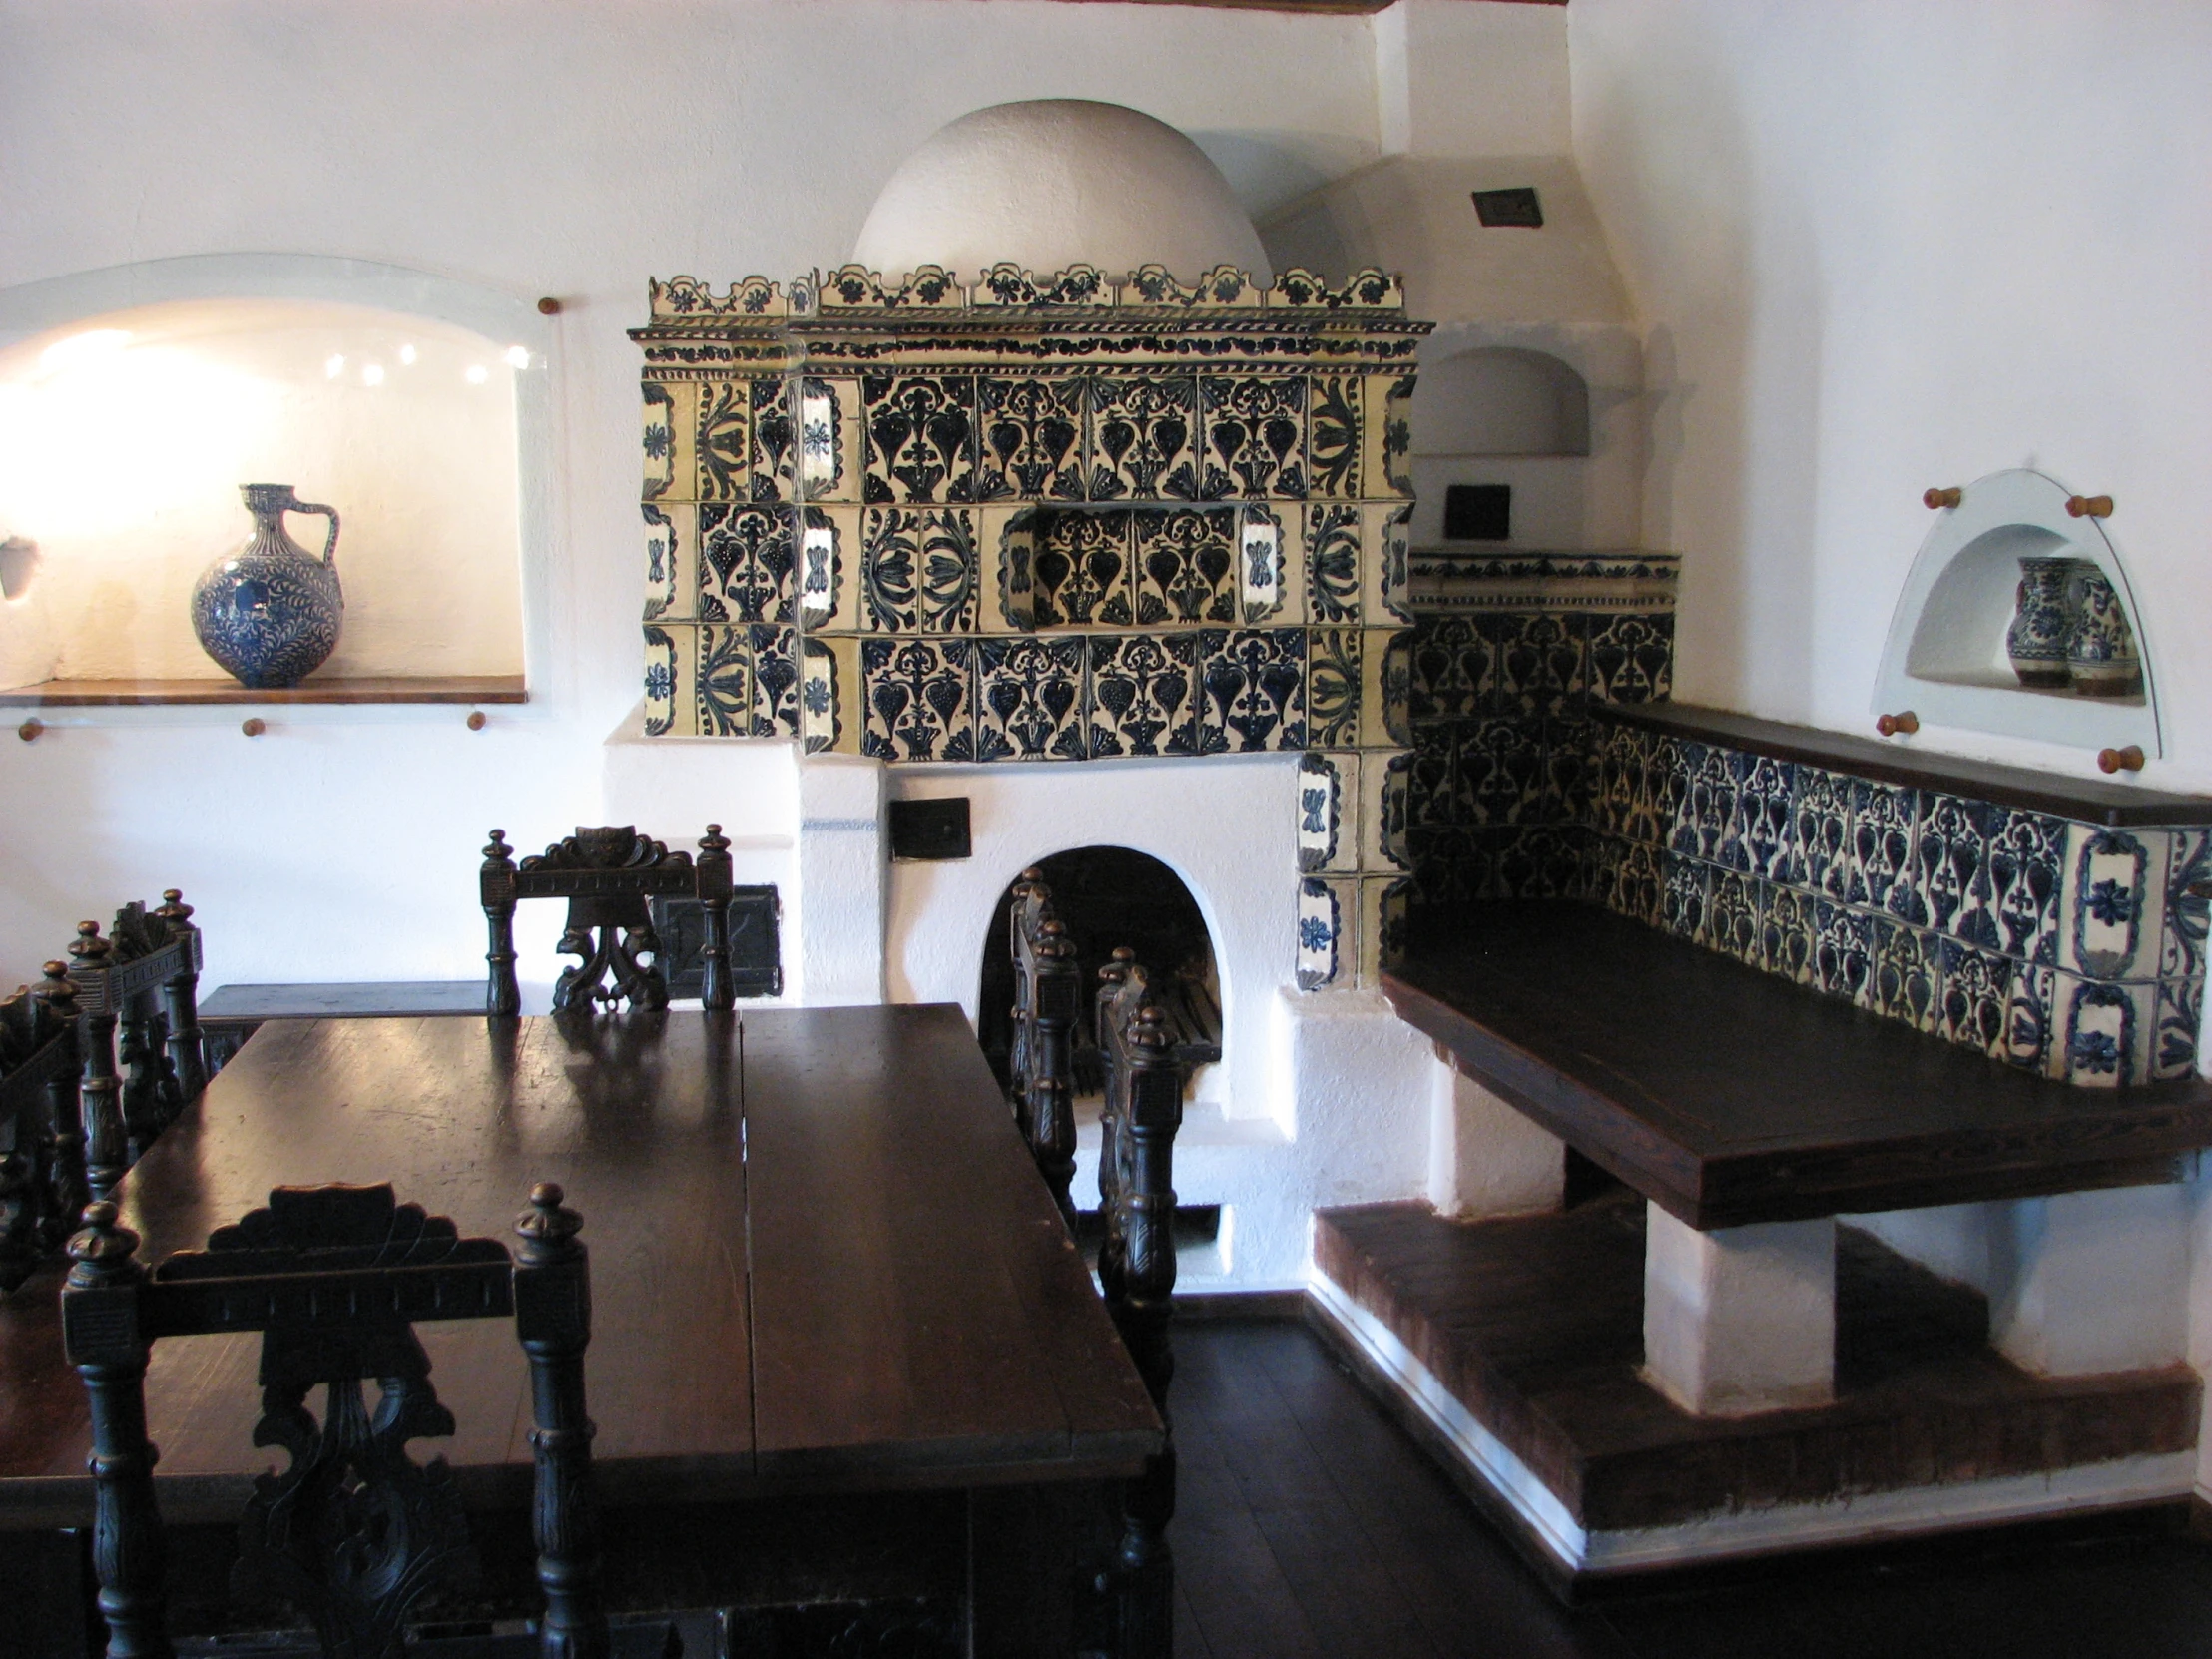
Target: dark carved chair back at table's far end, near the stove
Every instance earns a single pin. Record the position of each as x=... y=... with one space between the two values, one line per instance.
x=609 y=875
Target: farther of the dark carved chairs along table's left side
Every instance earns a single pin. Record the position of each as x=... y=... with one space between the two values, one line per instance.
x=138 y=1032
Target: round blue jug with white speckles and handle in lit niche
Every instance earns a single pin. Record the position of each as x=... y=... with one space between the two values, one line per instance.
x=271 y=612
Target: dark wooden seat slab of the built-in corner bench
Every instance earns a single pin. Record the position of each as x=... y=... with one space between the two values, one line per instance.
x=1731 y=1096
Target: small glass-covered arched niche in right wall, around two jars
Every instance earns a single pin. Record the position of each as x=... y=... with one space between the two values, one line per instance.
x=1945 y=654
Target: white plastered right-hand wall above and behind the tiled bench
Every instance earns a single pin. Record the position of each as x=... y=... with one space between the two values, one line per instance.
x=1879 y=249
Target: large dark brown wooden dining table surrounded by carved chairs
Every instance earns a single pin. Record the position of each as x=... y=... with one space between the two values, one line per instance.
x=842 y=1339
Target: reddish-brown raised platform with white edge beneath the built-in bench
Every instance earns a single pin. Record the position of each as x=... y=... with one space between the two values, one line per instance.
x=1534 y=1328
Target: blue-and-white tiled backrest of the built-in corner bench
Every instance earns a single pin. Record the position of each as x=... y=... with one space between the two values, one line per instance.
x=2058 y=946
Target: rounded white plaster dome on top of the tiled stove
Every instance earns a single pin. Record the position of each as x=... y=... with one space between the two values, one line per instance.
x=1052 y=185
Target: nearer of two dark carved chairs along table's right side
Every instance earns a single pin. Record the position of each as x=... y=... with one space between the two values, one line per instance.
x=1145 y=1109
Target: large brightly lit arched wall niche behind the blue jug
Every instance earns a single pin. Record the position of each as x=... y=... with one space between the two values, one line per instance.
x=413 y=404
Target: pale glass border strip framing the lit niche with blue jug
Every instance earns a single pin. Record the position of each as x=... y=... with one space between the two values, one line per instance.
x=499 y=317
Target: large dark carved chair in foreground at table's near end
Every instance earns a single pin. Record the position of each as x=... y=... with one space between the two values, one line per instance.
x=353 y=1534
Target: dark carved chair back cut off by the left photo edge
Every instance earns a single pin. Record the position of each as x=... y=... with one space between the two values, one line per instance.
x=41 y=1136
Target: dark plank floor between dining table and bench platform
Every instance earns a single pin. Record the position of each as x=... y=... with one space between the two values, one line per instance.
x=1313 y=1525
